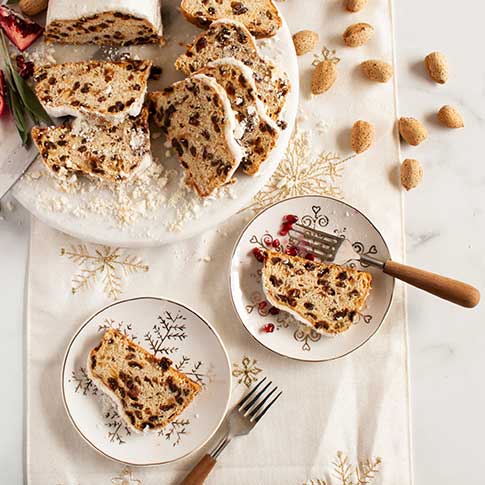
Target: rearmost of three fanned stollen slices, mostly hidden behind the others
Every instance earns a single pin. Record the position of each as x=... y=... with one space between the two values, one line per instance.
x=228 y=38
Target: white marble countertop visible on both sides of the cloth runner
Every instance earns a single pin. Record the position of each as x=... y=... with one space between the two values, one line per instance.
x=445 y=221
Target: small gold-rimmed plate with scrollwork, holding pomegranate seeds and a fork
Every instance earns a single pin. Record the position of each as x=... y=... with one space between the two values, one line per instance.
x=291 y=338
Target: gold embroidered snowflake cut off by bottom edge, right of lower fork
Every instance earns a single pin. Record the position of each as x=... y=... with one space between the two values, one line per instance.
x=348 y=474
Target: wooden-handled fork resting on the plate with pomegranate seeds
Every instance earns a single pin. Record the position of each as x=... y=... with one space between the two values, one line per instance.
x=328 y=247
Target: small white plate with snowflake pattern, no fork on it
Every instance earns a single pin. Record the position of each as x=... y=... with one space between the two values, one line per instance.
x=165 y=328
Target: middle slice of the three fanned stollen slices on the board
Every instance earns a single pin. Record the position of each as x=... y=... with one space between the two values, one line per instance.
x=258 y=132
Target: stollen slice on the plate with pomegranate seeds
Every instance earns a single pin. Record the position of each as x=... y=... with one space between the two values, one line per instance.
x=327 y=297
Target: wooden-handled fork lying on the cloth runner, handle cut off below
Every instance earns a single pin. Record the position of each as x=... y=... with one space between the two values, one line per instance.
x=241 y=421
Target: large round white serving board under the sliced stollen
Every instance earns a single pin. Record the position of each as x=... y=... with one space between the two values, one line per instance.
x=85 y=213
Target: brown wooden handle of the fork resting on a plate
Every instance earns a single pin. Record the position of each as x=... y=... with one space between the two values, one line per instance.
x=446 y=288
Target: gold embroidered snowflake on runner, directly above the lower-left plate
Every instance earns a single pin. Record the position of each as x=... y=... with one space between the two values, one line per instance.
x=103 y=263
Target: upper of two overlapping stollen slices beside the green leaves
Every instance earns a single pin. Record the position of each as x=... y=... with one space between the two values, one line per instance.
x=112 y=90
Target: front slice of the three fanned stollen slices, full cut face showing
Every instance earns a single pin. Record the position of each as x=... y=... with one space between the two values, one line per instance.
x=197 y=118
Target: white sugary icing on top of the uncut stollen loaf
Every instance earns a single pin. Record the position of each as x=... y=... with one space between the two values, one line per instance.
x=149 y=10
